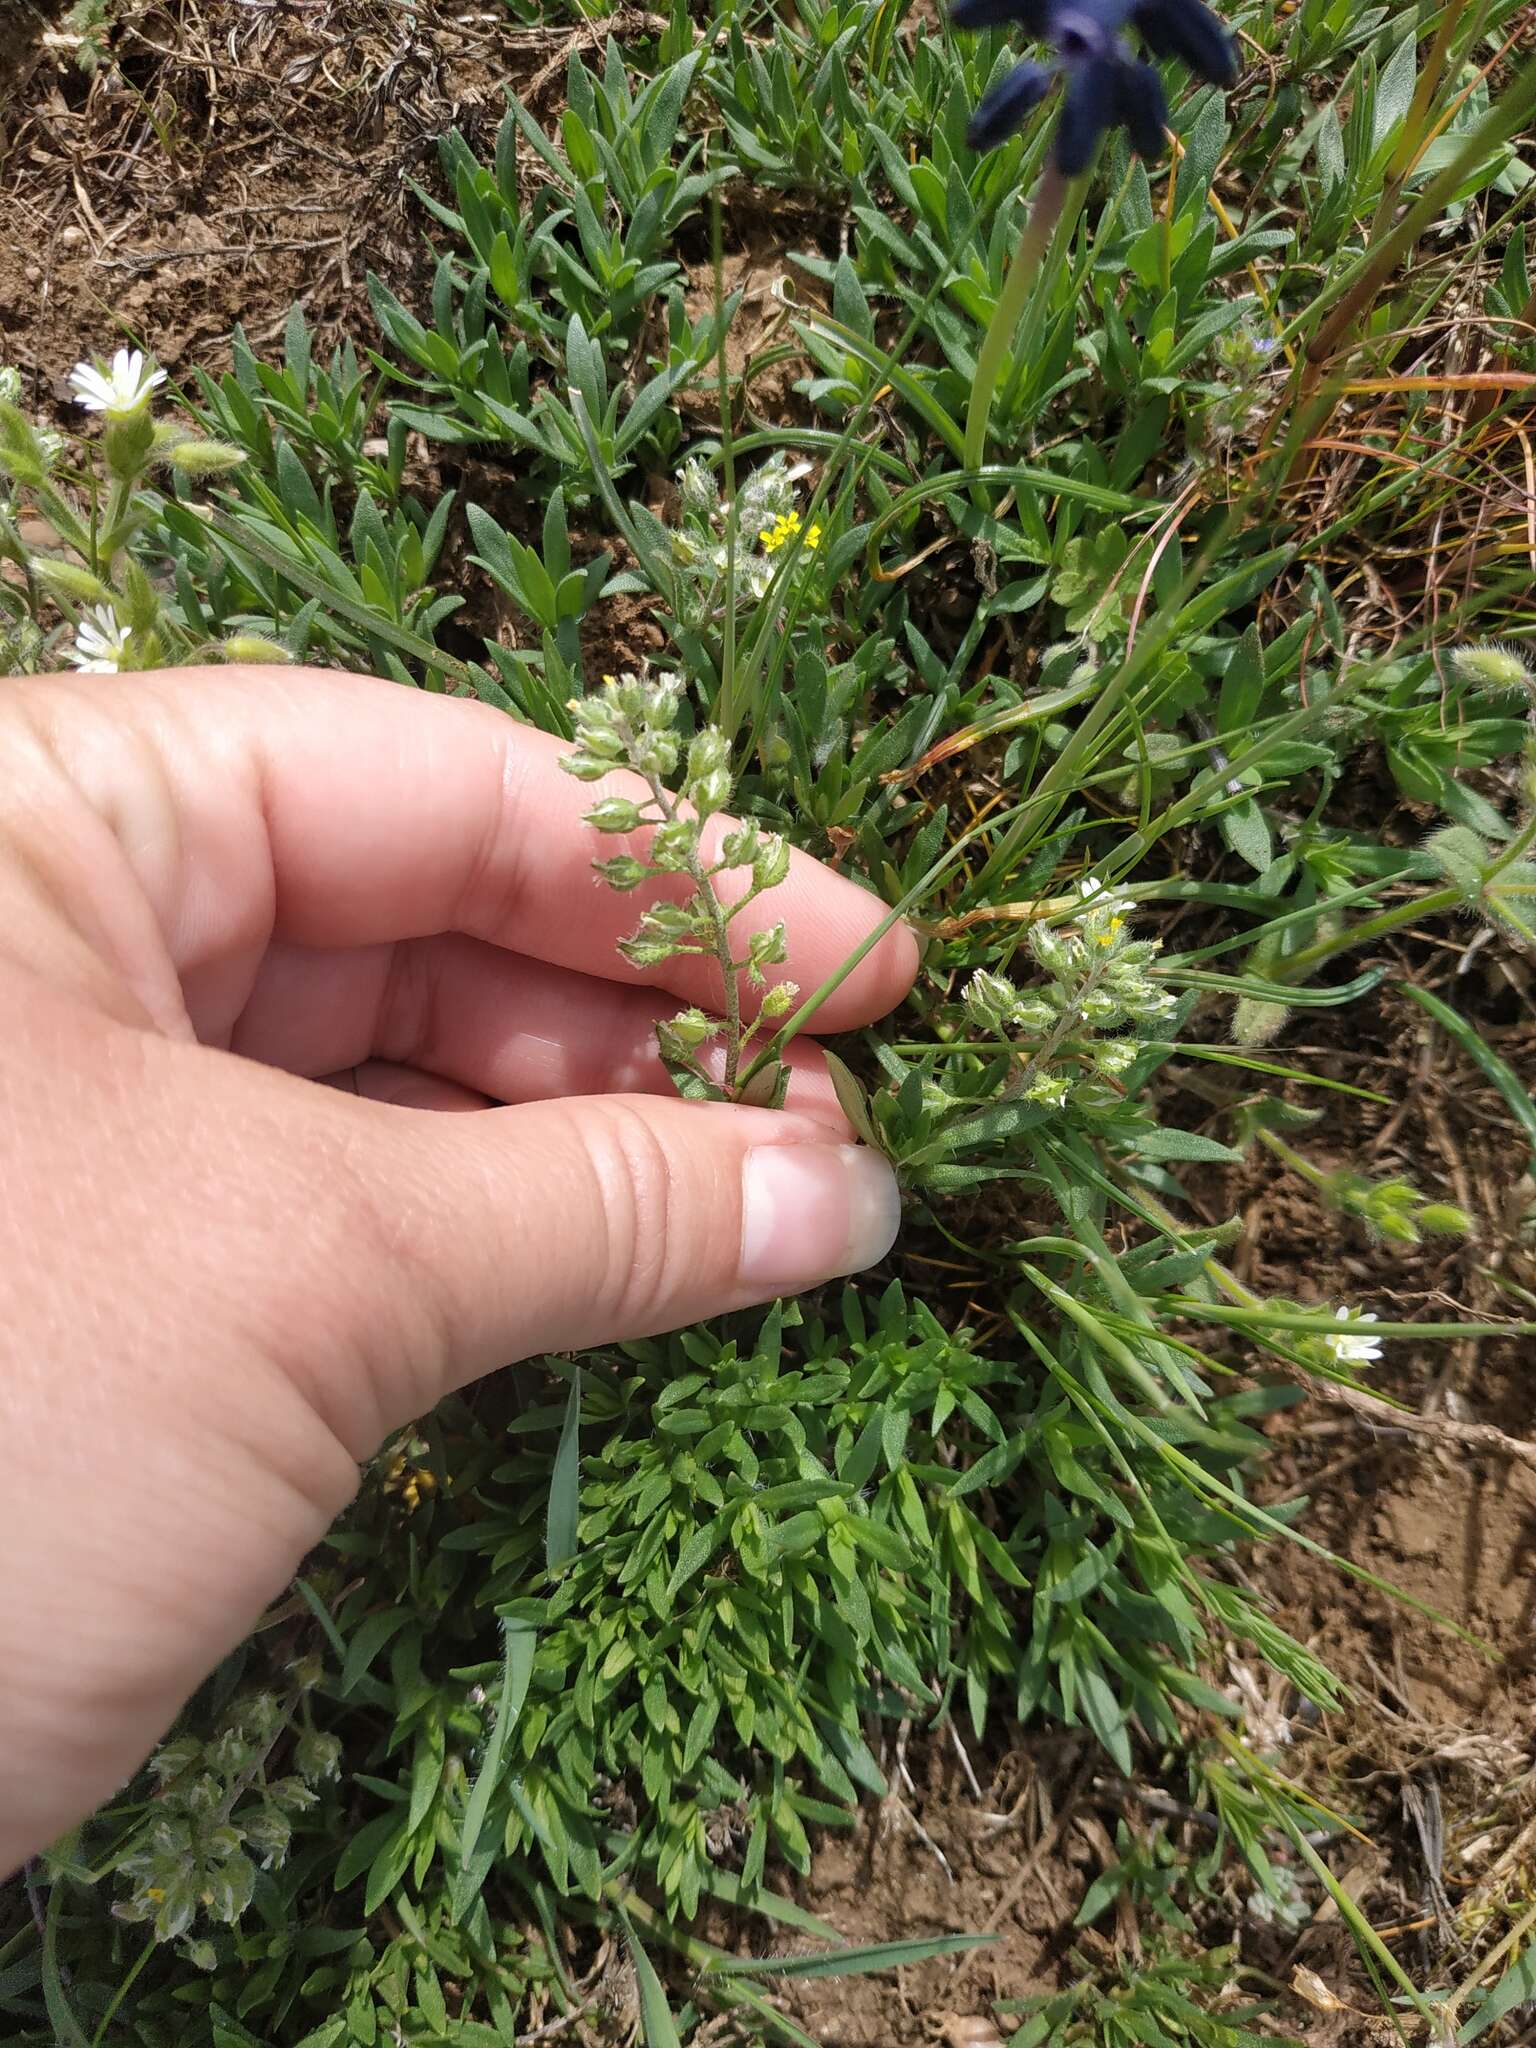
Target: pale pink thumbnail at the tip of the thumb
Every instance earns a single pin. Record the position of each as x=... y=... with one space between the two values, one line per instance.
x=812 y=1213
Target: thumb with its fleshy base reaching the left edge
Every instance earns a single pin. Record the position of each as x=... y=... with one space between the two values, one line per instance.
x=232 y=1285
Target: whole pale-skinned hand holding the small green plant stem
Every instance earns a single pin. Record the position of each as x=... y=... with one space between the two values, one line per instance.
x=222 y=1287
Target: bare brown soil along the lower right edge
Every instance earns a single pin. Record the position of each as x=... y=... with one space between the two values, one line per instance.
x=1437 y=1742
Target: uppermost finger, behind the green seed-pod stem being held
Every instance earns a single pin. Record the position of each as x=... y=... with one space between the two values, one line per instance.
x=347 y=812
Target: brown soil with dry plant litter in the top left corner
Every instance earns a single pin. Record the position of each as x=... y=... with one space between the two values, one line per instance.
x=220 y=165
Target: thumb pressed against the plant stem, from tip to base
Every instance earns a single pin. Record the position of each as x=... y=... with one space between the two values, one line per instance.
x=558 y=1226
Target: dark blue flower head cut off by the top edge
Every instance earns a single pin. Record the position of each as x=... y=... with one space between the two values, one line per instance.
x=1105 y=85
